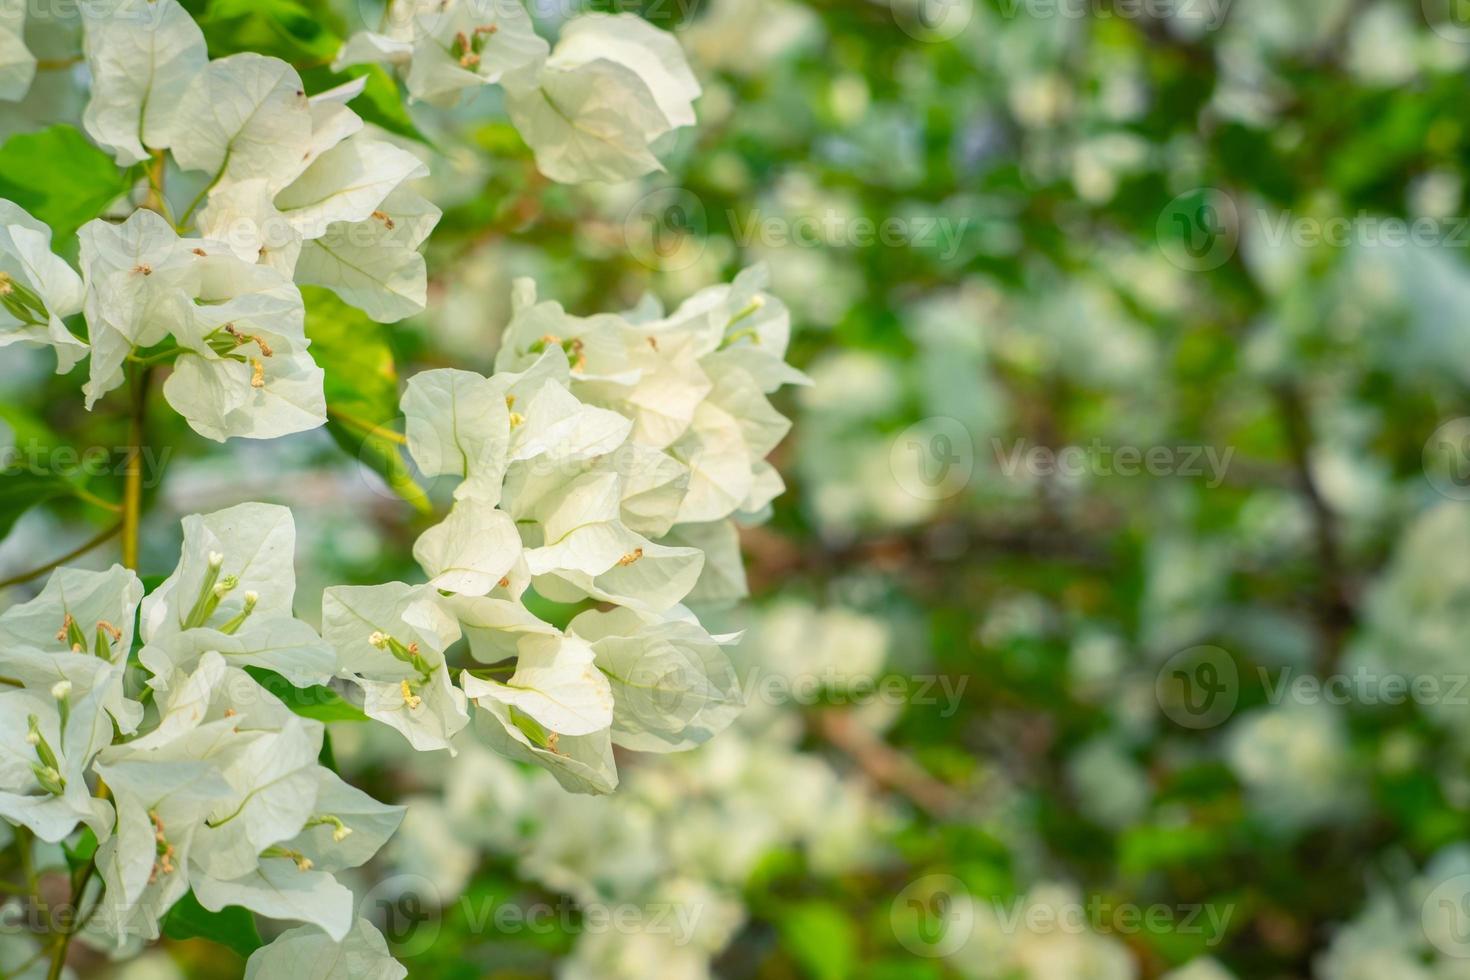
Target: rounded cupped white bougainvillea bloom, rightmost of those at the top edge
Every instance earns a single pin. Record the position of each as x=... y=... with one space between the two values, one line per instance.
x=612 y=87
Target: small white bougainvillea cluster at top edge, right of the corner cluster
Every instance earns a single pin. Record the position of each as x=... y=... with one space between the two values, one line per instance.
x=592 y=109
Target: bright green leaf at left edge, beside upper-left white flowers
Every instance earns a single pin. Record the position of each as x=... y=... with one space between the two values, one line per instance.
x=60 y=177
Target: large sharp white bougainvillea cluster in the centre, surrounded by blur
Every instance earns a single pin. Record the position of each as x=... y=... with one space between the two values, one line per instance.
x=608 y=459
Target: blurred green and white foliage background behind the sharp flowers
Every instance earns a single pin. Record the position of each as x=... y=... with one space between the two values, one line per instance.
x=1115 y=622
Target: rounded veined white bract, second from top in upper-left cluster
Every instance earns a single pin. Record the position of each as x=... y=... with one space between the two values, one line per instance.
x=248 y=118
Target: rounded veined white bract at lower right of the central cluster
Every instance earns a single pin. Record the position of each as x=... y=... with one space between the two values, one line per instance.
x=673 y=685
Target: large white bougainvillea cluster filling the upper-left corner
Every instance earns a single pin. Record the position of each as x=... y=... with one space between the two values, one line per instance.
x=296 y=193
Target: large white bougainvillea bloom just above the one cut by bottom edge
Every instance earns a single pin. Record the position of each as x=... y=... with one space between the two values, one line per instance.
x=237 y=834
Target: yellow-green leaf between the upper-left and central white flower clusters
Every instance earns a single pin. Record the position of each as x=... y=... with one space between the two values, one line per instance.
x=362 y=390
